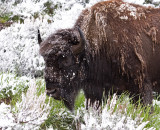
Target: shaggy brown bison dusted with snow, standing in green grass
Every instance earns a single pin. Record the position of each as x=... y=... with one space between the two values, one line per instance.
x=113 y=46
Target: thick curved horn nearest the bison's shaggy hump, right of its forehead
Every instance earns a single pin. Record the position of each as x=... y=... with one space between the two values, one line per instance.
x=76 y=49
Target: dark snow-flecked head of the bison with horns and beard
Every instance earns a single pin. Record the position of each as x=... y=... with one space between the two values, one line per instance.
x=63 y=53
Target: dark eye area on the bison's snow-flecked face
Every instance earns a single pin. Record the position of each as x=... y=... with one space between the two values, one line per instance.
x=65 y=61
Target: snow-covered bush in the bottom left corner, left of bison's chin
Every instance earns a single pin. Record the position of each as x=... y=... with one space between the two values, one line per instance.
x=29 y=113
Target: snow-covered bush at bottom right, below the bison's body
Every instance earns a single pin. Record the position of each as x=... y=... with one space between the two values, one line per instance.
x=110 y=120
